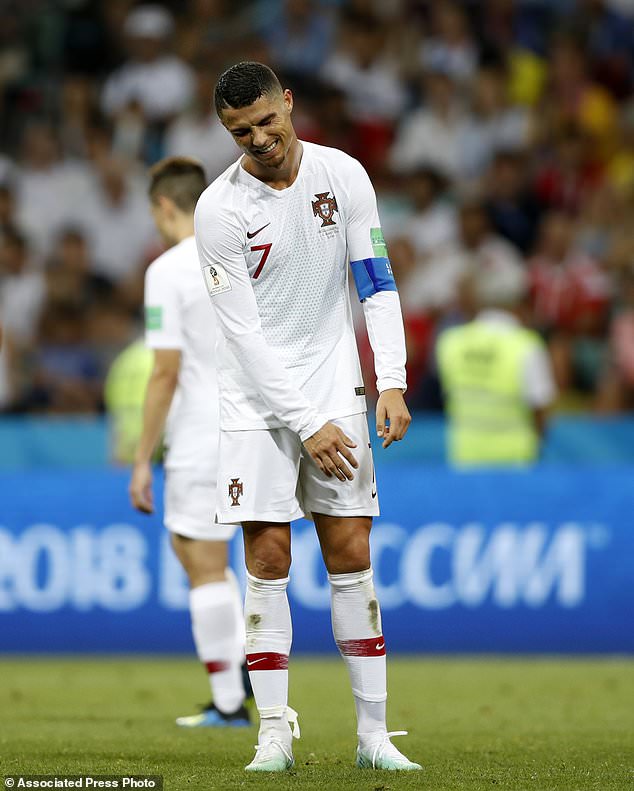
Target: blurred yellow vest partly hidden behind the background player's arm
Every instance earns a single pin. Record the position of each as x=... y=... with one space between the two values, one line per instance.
x=124 y=394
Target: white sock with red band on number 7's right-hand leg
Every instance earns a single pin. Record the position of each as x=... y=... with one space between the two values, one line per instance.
x=356 y=625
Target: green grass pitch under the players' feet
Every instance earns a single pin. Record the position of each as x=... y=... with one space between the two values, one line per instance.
x=474 y=724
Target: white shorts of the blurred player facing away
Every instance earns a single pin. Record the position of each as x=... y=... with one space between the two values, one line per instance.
x=190 y=505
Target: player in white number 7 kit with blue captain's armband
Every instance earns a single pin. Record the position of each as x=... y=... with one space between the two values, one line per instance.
x=275 y=233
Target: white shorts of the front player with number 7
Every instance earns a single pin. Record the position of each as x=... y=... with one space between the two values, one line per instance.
x=267 y=476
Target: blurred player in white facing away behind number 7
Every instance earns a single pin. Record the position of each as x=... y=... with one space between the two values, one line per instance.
x=182 y=397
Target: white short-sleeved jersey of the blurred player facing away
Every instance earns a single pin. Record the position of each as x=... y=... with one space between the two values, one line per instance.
x=179 y=316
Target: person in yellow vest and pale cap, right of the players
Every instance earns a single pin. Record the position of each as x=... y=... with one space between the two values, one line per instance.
x=496 y=377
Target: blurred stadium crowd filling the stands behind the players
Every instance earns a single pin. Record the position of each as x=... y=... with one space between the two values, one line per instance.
x=499 y=135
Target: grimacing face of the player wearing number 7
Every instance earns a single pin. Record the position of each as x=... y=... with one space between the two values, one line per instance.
x=263 y=130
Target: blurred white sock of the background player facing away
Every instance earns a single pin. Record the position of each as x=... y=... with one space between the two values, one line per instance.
x=218 y=628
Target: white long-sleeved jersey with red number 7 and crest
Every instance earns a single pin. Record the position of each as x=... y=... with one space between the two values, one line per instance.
x=276 y=264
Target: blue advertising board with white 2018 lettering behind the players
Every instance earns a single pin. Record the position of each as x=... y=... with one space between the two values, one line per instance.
x=538 y=561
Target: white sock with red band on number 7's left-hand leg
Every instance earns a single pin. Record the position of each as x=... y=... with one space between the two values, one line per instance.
x=269 y=635
